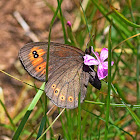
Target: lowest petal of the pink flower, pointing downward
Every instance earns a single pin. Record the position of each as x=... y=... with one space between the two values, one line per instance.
x=101 y=72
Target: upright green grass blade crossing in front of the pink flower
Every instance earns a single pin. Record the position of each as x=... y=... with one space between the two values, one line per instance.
x=109 y=85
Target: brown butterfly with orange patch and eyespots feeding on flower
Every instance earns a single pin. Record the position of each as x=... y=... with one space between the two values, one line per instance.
x=67 y=74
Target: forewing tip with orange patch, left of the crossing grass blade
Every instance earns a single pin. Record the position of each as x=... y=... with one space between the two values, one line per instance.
x=34 y=63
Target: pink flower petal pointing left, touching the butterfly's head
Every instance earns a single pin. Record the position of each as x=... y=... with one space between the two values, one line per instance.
x=89 y=60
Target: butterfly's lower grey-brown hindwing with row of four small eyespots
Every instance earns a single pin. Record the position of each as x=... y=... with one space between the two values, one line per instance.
x=65 y=84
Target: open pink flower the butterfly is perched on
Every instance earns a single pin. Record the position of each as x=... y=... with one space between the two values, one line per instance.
x=102 y=71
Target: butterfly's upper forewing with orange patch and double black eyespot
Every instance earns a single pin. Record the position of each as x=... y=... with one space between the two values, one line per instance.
x=33 y=57
